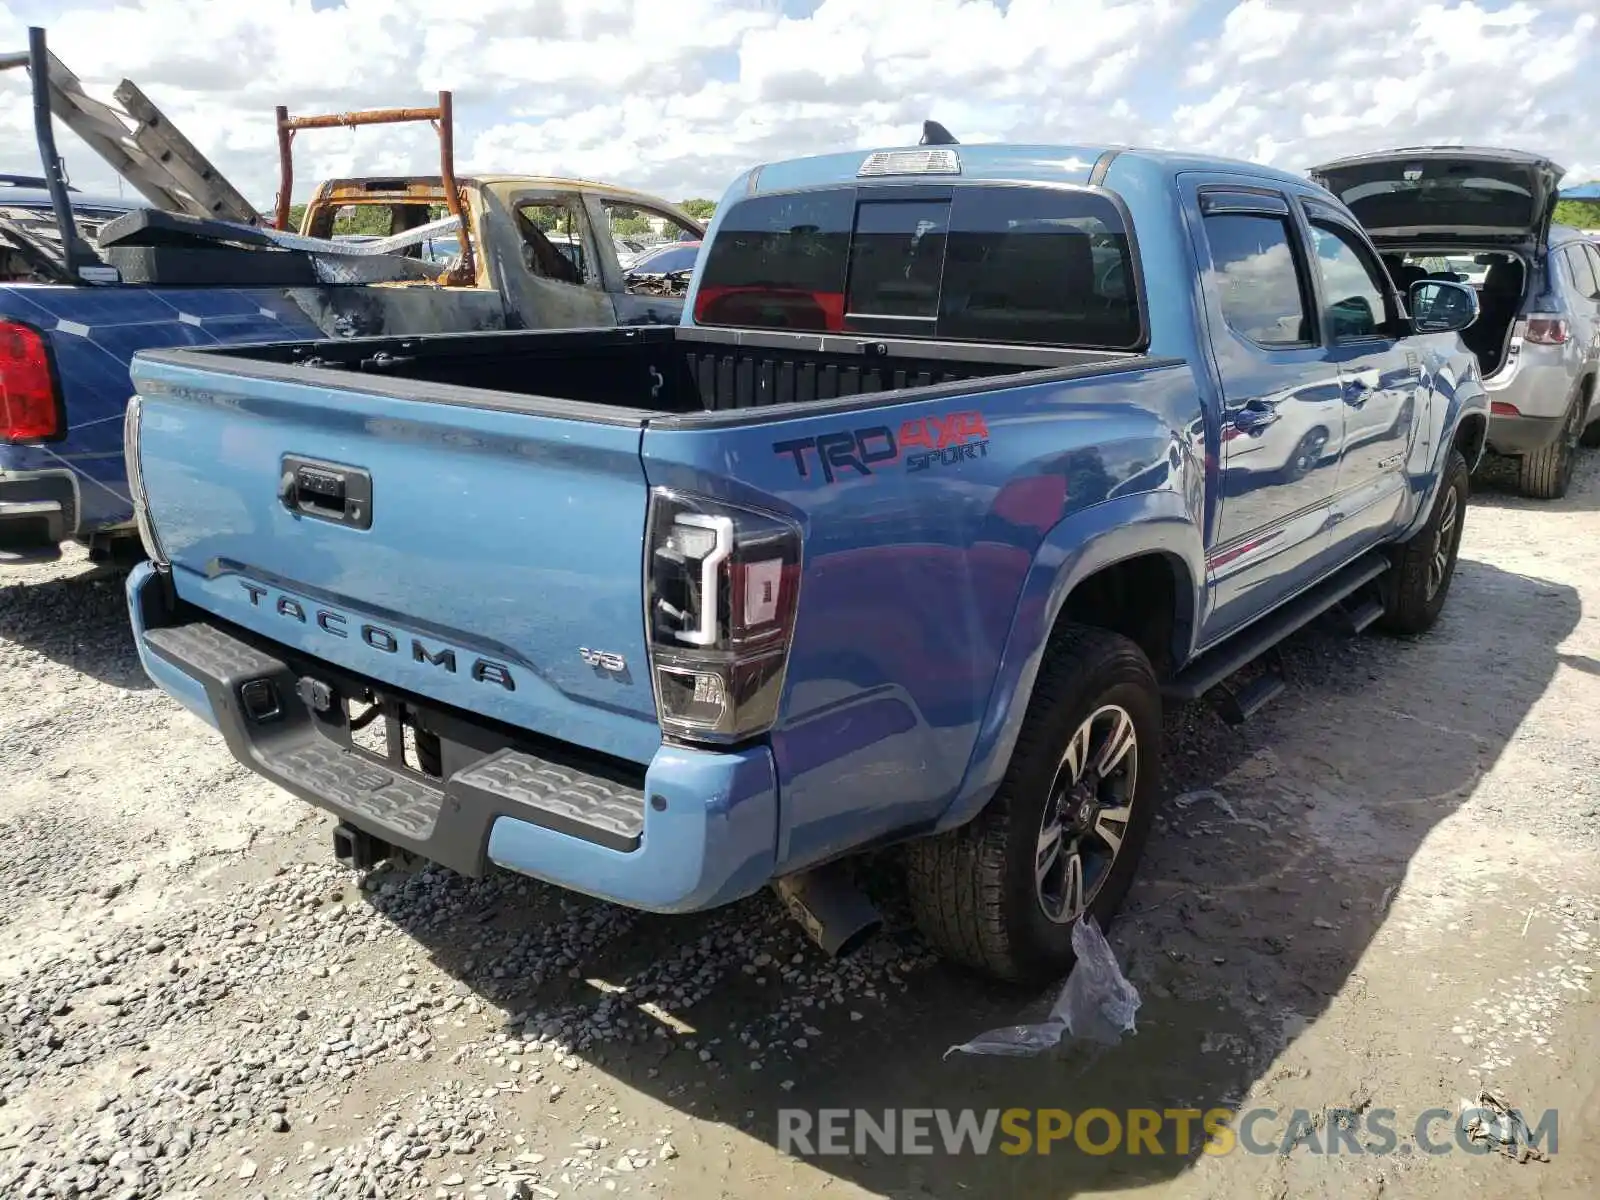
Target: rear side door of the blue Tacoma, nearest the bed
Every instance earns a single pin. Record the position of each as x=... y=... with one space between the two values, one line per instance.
x=1282 y=417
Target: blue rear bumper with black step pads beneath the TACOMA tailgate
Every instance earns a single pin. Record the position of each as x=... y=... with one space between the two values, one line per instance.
x=692 y=831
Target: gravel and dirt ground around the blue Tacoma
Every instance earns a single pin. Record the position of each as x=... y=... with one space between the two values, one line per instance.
x=1383 y=894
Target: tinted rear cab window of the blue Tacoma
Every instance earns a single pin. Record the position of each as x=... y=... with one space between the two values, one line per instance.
x=1018 y=265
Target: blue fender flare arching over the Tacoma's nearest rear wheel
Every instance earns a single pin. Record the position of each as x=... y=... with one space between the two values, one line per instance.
x=1089 y=542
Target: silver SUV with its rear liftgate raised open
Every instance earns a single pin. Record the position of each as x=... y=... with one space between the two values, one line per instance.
x=1482 y=217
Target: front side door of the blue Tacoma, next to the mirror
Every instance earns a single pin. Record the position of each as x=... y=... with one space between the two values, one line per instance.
x=1378 y=378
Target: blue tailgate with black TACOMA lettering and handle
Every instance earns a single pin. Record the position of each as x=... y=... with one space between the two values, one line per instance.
x=494 y=550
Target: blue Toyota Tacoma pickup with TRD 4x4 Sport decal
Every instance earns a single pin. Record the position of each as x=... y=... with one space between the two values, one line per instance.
x=961 y=463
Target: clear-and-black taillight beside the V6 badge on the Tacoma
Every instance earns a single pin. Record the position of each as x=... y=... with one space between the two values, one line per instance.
x=721 y=591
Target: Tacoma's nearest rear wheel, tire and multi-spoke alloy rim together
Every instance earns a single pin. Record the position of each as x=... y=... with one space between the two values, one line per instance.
x=1065 y=833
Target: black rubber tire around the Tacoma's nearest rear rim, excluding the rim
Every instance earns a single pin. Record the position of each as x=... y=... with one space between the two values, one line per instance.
x=974 y=889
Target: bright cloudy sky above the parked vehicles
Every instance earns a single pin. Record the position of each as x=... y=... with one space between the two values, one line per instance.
x=678 y=97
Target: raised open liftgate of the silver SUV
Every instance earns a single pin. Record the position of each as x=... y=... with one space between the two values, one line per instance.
x=1449 y=194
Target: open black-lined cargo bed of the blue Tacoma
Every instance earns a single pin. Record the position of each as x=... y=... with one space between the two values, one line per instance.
x=626 y=377
